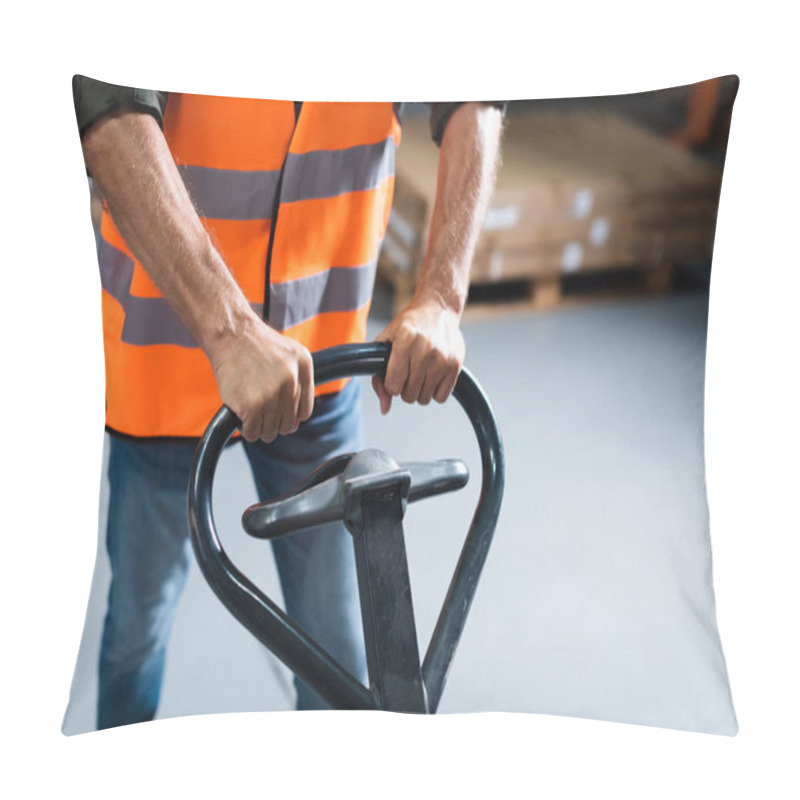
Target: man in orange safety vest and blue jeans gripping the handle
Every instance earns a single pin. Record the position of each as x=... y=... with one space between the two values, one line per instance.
x=239 y=236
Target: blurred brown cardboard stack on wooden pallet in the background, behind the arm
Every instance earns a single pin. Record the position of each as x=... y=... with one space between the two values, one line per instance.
x=577 y=190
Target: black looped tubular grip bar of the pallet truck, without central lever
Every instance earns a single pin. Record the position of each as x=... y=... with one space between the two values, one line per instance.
x=269 y=623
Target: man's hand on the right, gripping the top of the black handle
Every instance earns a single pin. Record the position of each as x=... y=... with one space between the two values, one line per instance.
x=427 y=353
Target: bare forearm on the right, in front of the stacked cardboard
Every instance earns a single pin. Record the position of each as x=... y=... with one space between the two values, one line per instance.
x=467 y=167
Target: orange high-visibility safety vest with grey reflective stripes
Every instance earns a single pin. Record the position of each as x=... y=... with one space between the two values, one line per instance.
x=304 y=199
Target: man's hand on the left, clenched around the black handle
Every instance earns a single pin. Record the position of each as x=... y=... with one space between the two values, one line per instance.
x=266 y=379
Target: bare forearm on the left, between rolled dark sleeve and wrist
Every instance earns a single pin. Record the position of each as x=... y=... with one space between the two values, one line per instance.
x=129 y=158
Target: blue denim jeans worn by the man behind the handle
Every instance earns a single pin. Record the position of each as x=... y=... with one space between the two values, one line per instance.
x=150 y=552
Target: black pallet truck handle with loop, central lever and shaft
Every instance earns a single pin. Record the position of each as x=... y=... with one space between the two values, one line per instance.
x=369 y=491
